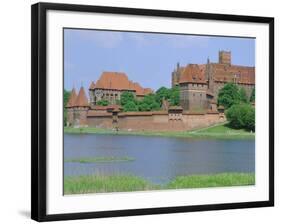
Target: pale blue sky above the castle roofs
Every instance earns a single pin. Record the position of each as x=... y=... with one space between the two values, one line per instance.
x=145 y=57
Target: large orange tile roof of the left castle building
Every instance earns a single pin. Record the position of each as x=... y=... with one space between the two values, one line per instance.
x=119 y=81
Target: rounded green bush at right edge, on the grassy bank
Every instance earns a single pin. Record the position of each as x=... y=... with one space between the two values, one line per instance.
x=241 y=116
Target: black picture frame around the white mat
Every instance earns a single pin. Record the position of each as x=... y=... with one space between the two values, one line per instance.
x=38 y=108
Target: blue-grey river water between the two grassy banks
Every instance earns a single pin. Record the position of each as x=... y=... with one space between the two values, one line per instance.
x=158 y=159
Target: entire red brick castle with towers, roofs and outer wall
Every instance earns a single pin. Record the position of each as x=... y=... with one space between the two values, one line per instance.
x=199 y=85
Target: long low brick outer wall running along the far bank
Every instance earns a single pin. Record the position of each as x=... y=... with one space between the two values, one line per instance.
x=154 y=121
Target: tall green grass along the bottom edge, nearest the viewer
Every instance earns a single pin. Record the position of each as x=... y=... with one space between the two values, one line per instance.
x=125 y=183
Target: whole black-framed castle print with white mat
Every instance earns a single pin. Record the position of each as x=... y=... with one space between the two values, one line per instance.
x=140 y=111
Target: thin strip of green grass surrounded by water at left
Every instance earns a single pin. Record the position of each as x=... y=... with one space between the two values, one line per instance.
x=101 y=159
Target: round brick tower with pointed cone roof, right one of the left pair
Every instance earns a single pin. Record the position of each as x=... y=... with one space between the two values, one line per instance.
x=81 y=108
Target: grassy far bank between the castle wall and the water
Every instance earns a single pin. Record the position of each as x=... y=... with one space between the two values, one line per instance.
x=221 y=131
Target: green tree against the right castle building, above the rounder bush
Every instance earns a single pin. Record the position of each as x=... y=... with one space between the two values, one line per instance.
x=229 y=95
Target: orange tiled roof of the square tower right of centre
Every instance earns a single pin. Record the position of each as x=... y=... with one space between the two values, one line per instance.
x=193 y=73
